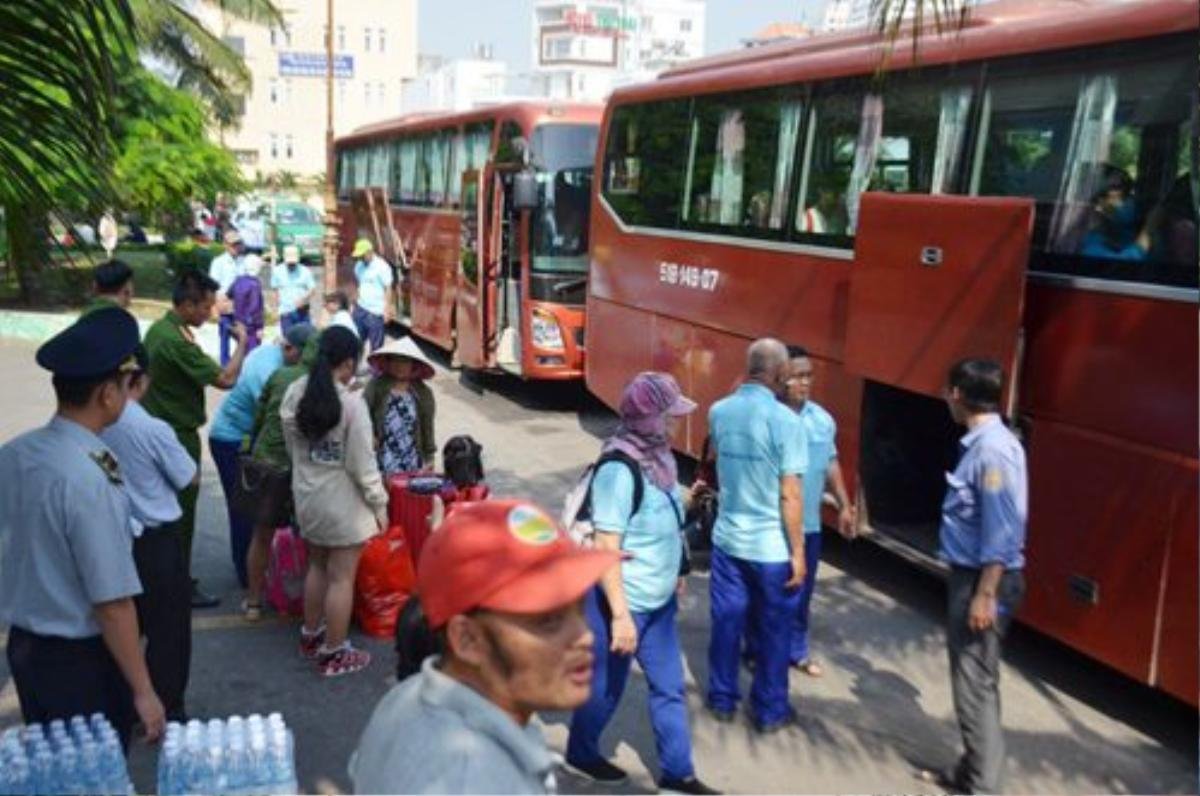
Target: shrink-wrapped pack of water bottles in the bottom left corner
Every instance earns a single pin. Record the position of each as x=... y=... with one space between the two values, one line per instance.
x=83 y=756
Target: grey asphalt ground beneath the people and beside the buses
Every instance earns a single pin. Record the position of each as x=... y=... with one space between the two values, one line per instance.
x=883 y=709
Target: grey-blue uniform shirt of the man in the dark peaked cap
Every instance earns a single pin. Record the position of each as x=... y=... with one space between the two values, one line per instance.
x=65 y=541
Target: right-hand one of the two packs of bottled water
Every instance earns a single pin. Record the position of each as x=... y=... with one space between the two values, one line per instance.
x=239 y=757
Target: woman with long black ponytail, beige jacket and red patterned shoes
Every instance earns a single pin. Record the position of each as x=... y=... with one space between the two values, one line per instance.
x=340 y=498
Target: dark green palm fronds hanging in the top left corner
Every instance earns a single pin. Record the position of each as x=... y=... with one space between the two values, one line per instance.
x=57 y=67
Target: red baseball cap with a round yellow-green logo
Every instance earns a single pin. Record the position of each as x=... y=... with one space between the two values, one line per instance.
x=505 y=556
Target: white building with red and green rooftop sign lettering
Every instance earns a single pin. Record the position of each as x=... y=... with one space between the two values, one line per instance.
x=584 y=50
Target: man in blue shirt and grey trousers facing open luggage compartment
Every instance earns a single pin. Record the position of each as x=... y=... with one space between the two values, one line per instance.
x=983 y=541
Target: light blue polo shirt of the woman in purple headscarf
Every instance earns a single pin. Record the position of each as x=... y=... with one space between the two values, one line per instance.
x=652 y=535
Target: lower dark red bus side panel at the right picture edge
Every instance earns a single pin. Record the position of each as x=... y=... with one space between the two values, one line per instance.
x=1179 y=647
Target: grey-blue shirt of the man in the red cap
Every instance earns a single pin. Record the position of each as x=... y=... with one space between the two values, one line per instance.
x=434 y=735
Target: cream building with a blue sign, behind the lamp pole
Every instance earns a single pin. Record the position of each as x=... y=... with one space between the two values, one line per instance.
x=284 y=127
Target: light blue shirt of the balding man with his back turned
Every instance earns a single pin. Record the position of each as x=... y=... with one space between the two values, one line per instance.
x=758 y=441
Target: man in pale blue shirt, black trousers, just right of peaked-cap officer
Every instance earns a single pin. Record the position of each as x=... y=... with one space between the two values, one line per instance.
x=157 y=469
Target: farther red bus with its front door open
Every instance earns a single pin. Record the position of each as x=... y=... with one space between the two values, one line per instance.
x=485 y=214
